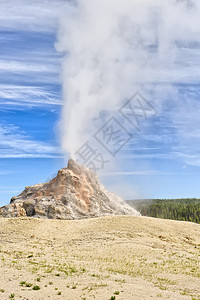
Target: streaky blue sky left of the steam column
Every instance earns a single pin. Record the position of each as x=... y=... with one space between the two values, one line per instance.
x=30 y=96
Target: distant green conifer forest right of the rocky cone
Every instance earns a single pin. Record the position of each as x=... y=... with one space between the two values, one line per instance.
x=176 y=209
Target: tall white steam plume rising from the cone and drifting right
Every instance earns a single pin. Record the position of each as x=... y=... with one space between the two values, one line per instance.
x=113 y=48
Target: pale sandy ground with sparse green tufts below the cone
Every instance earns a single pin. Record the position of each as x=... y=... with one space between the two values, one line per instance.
x=117 y=257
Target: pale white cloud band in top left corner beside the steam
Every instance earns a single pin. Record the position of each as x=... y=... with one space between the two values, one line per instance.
x=32 y=15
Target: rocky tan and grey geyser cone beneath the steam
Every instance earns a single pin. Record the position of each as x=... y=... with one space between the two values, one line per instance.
x=74 y=193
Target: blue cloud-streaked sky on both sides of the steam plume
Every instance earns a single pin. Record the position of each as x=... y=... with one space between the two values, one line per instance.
x=162 y=161
